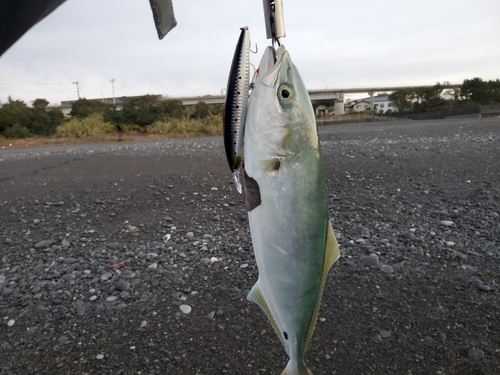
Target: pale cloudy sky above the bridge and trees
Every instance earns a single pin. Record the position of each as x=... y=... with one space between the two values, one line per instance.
x=334 y=44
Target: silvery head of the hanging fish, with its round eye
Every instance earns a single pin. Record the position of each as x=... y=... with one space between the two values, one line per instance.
x=281 y=117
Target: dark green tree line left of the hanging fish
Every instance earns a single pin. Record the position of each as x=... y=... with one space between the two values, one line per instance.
x=18 y=120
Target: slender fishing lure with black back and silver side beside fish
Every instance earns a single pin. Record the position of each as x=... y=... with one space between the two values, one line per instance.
x=235 y=105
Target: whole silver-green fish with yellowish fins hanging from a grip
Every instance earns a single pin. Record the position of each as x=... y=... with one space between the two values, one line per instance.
x=287 y=203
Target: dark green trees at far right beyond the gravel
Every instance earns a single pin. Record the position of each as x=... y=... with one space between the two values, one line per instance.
x=473 y=92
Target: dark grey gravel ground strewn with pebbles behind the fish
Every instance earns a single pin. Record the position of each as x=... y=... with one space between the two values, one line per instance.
x=136 y=258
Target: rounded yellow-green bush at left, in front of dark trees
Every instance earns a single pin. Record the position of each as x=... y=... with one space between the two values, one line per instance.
x=92 y=126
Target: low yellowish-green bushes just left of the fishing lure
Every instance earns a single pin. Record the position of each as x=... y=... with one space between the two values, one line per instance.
x=183 y=127
